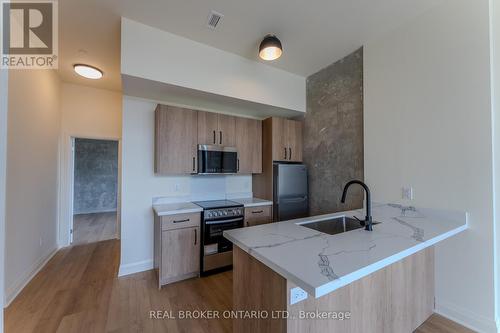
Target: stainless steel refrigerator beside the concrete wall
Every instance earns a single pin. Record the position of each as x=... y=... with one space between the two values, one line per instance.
x=290 y=197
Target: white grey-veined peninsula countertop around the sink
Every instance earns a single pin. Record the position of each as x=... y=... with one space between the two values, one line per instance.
x=320 y=263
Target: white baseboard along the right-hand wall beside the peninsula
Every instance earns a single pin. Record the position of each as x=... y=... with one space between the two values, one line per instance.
x=467 y=318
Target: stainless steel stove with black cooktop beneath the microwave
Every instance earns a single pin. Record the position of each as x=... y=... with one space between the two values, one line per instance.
x=216 y=251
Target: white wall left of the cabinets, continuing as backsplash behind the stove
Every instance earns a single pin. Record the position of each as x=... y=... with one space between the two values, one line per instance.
x=140 y=186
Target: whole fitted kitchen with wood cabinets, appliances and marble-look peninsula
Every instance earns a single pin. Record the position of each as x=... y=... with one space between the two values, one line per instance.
x=196 y=239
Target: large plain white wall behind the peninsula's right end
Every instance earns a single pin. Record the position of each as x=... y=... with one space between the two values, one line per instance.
x=428 y=124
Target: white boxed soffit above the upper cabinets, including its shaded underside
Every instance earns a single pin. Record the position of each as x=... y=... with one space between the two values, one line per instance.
x=182 y=72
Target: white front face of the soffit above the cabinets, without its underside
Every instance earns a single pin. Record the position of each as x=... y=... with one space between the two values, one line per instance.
x=182 y=62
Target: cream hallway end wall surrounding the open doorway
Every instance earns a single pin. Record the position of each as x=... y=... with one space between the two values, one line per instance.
x=85 y=113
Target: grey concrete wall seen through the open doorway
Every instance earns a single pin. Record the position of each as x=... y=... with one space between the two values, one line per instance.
x=96 y=176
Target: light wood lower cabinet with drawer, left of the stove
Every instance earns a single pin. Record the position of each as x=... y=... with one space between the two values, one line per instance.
x=177 y=247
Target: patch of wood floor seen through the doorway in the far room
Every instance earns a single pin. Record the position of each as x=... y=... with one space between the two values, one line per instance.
x=91 y=228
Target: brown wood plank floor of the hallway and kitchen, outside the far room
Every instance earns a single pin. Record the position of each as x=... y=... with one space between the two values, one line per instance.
x=78 y=291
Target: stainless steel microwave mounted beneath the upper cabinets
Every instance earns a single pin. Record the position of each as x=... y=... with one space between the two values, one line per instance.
x=217 y=160
